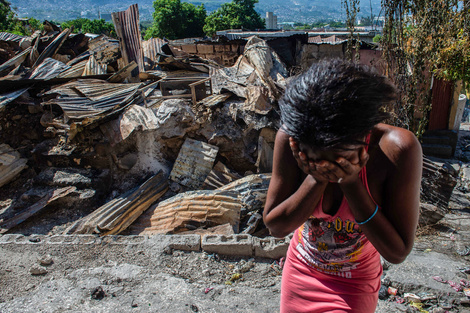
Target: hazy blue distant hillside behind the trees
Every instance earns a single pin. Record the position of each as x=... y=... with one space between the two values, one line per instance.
x=287 y=10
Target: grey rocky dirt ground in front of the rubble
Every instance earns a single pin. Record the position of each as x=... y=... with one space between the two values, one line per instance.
x=131 y=274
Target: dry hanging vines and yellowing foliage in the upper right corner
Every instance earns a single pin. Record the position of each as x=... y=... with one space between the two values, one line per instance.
x=422 y=36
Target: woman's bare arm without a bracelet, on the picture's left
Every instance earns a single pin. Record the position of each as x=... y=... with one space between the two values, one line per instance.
x=288 y=205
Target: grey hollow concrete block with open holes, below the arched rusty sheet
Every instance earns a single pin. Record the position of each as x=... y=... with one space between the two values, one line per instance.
x=239 y=244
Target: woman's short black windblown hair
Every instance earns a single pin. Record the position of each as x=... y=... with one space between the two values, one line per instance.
x=334 y=103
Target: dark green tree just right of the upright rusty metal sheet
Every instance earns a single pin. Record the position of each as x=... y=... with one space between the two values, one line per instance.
x=174 y=19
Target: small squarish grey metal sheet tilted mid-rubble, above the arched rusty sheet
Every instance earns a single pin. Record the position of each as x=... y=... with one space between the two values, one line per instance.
x=194 y=163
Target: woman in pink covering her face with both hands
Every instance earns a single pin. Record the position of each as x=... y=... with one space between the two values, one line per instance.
x=347 y=184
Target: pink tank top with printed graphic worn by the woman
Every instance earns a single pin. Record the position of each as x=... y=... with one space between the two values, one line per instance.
x=335 y=244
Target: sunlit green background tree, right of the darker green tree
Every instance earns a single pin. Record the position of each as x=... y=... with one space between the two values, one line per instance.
x=234 y=15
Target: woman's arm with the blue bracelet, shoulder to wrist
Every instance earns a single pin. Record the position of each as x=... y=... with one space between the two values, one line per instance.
x=392 y=229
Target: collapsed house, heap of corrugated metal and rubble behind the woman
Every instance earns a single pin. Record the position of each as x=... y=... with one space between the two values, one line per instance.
x=105 y=136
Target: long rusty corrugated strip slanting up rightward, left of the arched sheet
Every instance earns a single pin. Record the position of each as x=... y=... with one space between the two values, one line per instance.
x=115 y=216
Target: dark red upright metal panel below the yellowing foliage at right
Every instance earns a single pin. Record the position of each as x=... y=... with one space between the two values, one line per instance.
x=441 y=100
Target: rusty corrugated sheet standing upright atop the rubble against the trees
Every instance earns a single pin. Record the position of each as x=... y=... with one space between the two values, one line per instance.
x=127 y=28
